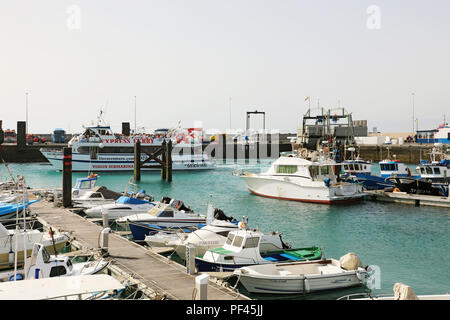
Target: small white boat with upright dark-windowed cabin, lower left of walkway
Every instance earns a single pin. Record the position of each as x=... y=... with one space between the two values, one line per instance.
x=43 y=265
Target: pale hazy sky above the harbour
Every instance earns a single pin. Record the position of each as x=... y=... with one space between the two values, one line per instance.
x=184 y=59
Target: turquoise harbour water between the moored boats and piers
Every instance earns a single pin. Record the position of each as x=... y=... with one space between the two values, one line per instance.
x=408 y=244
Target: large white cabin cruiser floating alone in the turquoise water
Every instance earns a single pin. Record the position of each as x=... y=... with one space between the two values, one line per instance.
x=295 y=178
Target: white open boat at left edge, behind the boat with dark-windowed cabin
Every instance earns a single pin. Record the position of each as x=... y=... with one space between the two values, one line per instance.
x=19 y=238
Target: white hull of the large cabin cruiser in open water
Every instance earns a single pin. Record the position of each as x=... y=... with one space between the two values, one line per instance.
x=283 y=190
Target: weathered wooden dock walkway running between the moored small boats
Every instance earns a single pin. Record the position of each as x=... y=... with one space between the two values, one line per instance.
x=160 y=274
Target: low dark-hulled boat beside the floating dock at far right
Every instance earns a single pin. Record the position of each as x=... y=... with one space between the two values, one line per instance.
x=419 y=186
